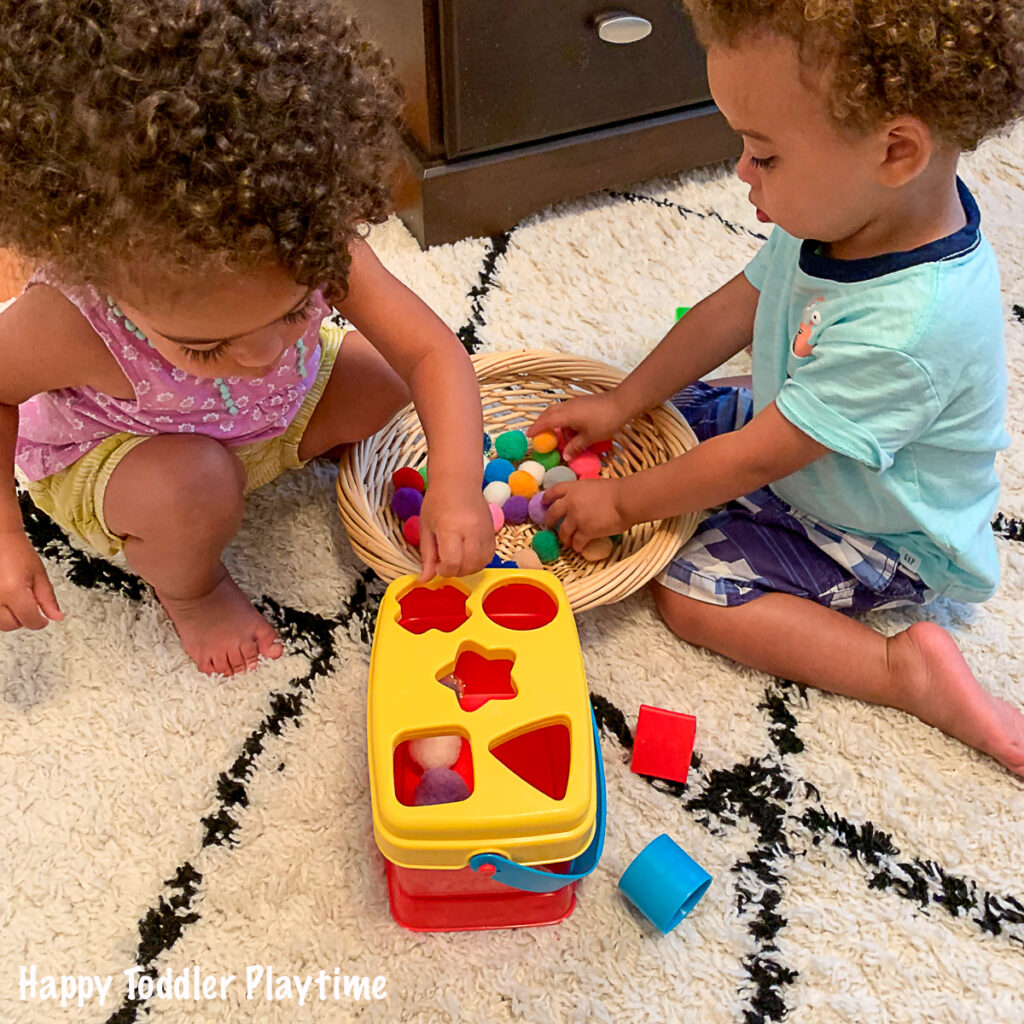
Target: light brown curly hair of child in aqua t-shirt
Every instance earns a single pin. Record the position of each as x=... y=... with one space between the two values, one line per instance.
x=957 y=65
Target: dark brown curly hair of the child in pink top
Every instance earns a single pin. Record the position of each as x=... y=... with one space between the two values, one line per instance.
x=203 y=134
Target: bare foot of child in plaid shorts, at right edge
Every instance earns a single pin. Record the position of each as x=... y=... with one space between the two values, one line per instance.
x=941 y=690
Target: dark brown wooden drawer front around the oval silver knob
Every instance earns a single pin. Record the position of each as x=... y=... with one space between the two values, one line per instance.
x=517 y=71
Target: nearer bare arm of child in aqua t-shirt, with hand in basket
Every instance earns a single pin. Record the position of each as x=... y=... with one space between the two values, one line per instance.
x=718 y=471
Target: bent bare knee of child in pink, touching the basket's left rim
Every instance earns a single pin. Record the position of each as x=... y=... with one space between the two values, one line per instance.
x=363 y=394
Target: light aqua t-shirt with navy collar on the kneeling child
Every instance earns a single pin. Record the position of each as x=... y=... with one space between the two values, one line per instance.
x=895 y=364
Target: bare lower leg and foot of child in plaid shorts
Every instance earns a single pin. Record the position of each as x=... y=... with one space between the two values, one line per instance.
x=920 y=671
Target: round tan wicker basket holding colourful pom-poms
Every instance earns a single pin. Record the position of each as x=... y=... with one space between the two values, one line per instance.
x=516 y=388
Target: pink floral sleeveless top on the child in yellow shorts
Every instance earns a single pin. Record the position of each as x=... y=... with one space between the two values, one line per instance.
x=59 y=428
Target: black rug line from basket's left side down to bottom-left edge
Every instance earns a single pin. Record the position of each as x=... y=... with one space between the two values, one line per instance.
x=164 y=925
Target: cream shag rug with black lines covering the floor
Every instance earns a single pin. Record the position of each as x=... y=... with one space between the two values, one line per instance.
x=157 y=822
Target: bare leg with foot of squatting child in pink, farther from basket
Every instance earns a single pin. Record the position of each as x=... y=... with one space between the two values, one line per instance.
x=178 y=502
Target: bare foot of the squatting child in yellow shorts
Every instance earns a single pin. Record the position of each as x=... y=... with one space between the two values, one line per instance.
x=222 y=631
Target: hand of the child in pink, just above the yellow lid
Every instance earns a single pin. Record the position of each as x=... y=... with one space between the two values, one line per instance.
x=457 y=534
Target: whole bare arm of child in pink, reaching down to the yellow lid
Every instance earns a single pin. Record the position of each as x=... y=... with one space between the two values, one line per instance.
x=430 y=358
